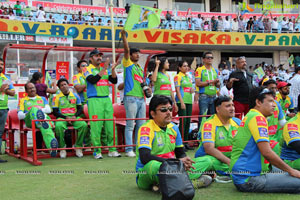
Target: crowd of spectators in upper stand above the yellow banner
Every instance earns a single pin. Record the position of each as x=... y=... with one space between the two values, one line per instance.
x=256 y=23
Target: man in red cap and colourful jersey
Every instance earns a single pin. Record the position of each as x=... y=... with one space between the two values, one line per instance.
x=286 y=102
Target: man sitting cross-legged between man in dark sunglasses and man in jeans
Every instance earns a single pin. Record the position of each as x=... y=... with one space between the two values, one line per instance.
x=217 y=134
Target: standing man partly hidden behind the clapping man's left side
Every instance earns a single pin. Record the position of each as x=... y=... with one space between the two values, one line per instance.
x=79 y=81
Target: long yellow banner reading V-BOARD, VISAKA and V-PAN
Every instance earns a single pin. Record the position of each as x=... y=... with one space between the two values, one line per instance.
x=102 y=33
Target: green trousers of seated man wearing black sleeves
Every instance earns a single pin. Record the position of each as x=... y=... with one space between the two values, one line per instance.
x=61 y=126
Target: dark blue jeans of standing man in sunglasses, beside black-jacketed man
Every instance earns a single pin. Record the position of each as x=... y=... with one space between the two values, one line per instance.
x=206 y=104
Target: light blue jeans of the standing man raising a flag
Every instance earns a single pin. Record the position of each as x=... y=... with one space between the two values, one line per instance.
x=135 y=108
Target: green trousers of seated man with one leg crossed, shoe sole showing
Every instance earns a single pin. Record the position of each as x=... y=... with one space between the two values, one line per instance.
x=47 y=134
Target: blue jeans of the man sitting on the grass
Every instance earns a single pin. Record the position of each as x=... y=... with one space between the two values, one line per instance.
x=275 y=182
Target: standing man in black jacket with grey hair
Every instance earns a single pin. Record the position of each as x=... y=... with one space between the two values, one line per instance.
x=241 y=81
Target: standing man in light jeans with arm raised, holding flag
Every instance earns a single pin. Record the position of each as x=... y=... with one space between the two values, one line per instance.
x=134 y=102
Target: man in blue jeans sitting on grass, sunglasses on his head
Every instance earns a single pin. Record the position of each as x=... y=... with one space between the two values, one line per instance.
x=252 y=157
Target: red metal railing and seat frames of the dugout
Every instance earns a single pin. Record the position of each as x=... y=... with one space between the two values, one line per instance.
x=30 y=154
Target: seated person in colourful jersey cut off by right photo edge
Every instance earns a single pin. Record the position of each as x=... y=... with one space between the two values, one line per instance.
x=290 y=151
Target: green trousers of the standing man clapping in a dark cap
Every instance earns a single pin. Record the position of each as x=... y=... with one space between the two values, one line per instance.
x=101 y=108
